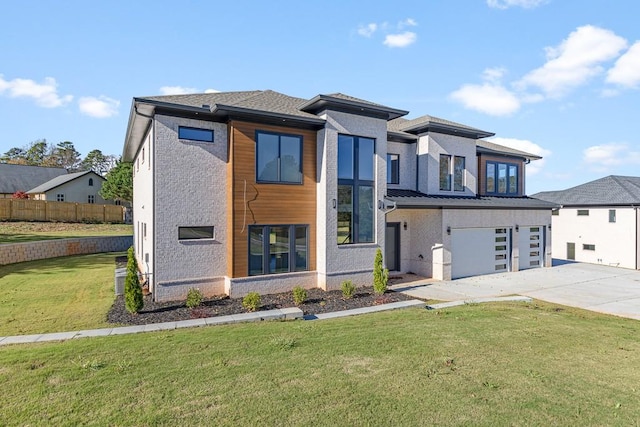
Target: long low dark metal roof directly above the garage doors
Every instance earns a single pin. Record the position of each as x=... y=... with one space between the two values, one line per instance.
x=415 y=199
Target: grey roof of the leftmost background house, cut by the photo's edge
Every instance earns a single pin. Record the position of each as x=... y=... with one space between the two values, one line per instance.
x=15 y=178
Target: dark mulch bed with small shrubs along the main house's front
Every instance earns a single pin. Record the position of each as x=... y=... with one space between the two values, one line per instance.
x=318 y=301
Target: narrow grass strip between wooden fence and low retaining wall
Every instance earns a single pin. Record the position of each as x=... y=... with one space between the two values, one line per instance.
x=17 y=232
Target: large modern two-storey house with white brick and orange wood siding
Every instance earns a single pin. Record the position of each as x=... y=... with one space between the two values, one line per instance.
x=259 y=191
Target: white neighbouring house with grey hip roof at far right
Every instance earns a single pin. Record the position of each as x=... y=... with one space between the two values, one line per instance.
x=598 y=222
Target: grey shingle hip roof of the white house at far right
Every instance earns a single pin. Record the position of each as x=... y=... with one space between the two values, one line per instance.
x=608 y=191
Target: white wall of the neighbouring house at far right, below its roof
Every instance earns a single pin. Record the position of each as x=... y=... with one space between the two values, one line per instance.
x=615 y=243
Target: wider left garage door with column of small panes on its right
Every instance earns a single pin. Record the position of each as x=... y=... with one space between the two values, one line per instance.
x=476 y=251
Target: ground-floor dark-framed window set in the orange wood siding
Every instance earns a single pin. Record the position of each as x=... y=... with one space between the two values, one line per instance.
x=278 y=249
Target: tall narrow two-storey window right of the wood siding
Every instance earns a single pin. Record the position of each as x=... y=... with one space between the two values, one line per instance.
x=355 y=189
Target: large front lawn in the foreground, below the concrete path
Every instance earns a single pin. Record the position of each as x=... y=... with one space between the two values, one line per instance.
x=483 y=364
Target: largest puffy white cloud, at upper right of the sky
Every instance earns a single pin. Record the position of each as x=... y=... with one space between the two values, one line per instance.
x=577 y=59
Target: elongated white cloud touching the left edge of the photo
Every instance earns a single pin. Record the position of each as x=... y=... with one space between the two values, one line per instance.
x=45 y=94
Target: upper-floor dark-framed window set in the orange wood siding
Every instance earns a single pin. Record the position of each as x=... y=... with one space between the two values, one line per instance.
x=278 y=158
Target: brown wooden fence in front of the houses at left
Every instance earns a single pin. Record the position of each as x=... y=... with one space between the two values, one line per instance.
x=42 y=210
